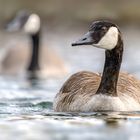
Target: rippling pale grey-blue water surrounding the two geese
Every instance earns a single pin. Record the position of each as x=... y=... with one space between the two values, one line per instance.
x=26 y=107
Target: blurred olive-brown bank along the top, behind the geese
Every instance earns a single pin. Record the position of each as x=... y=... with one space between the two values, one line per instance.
x=122 y=11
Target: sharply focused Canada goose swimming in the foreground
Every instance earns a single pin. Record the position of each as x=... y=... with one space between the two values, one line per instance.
x=86 y=91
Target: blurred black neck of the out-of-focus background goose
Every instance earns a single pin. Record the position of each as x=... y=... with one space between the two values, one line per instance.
x=34 y=63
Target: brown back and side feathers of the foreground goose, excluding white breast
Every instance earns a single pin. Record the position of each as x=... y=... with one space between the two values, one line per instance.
x=83 y=86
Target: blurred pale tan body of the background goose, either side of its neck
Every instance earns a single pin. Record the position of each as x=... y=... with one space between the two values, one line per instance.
x=17 y=59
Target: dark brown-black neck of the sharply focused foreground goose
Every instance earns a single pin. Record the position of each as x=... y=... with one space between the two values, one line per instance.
x=108 y=85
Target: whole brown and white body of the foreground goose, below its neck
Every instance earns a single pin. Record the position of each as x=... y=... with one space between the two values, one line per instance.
x=78 y=94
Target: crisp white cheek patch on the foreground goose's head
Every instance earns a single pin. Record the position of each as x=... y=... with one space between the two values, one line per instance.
x=109 y=40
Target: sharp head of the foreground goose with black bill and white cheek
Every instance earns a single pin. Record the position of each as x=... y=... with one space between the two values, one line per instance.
x=101 y=34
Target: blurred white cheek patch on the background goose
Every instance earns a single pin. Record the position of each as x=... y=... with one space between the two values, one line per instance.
x=32 y=25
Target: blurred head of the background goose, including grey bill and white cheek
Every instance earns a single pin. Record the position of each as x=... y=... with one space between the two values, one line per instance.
x=25 y=21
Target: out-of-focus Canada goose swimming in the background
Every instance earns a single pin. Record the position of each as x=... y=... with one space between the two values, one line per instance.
x=40 y=58
